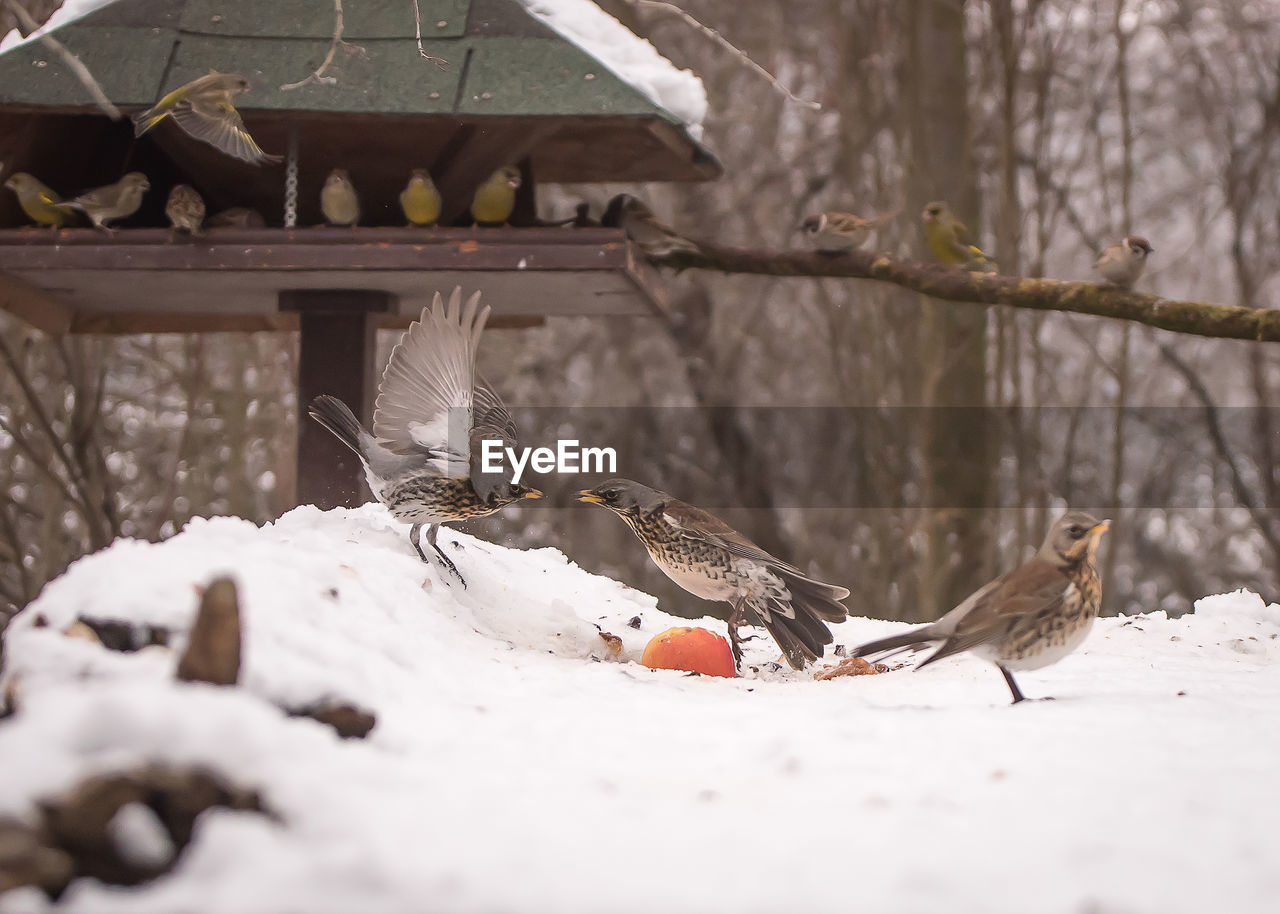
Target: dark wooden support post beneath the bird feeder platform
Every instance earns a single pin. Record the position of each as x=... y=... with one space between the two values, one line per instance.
x=336 y=357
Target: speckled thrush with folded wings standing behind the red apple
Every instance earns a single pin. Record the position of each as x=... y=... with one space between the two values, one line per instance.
x=711 y=560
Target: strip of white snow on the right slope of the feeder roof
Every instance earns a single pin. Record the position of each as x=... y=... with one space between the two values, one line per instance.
x=630 y=57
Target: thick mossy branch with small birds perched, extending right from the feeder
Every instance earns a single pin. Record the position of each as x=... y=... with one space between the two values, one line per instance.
x=953 y=285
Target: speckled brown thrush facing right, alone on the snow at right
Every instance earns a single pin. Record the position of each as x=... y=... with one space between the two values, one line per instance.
x=1027 y=619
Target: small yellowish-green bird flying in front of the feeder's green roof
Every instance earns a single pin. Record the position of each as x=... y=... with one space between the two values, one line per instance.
x=204 y=109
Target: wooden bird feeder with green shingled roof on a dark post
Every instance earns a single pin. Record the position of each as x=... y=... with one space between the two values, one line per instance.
x=504 y=89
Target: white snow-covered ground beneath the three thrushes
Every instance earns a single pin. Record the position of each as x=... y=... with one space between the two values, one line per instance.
x=515 y=767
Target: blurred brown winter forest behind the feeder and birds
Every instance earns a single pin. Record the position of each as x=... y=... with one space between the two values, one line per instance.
x=941 y=440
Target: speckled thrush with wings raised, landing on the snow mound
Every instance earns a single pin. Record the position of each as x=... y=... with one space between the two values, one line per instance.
x=433 y=413
